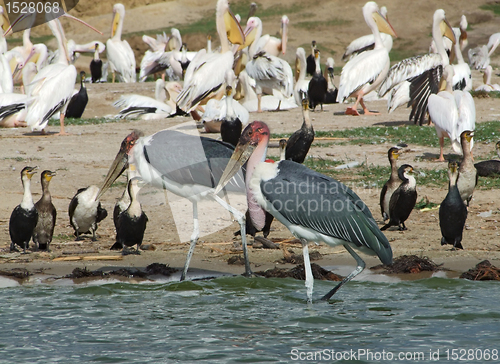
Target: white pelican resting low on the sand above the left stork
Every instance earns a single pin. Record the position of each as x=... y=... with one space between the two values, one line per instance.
x=146 y=107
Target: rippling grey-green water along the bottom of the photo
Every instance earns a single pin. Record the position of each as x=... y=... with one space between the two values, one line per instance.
x=240 y=320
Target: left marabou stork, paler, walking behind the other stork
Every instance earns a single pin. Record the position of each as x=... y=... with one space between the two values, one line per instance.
x=186 y=165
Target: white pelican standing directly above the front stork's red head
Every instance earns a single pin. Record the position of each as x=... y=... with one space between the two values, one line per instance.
x=267 y=70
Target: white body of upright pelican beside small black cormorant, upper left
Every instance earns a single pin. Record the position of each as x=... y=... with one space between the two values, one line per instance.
x=121 y=59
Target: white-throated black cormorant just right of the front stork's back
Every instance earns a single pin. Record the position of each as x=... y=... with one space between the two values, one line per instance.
x=403 y=199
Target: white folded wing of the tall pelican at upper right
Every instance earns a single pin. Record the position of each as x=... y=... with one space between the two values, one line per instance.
x=360 y=70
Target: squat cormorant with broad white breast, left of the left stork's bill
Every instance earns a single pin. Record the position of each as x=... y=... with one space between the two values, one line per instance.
x=85 y=212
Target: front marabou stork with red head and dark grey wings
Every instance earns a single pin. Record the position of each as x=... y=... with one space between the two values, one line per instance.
x=324 y=209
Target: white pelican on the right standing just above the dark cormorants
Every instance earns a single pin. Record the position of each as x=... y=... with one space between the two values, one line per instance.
x=452 y=112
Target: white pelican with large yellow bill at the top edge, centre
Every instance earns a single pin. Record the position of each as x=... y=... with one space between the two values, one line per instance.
x=205 y=74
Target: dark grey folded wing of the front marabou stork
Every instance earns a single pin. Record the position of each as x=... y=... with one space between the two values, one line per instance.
x=311 y=200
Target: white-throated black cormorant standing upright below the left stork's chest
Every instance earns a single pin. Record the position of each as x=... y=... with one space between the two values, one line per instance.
x=132 y=222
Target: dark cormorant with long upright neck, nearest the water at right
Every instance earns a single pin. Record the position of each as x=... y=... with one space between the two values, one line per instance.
x=452 y=212
